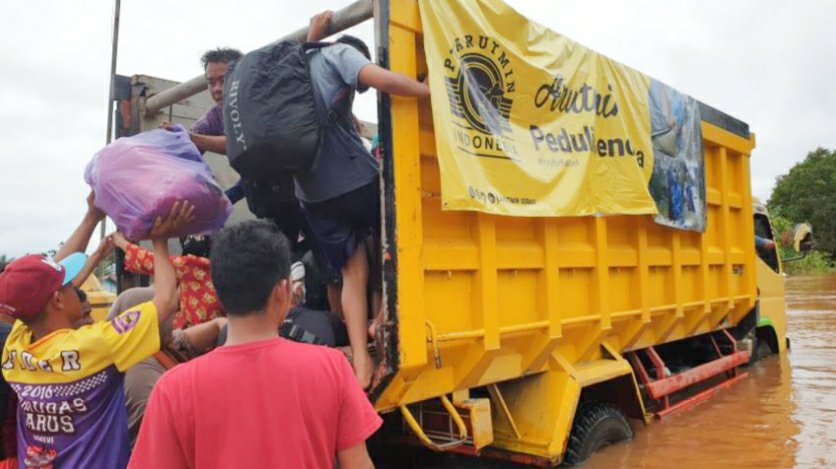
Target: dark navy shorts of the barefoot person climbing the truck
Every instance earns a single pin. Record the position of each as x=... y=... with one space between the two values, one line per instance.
x=341 y=224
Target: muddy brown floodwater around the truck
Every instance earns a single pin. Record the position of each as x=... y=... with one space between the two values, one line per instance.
x=782 y=416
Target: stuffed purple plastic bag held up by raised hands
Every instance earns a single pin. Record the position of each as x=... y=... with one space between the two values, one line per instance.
x=137 y=179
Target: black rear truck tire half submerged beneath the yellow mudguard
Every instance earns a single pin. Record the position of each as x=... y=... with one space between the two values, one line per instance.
x=596 y=425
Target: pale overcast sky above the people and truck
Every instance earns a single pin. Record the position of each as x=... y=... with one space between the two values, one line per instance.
x=769 y=63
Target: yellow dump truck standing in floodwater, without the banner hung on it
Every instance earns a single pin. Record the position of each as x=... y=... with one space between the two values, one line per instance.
x=532 y=338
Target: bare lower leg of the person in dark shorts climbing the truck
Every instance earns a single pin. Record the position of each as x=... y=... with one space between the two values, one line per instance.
x=355 y=311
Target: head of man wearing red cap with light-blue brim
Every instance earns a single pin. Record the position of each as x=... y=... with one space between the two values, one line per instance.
x=35 y=289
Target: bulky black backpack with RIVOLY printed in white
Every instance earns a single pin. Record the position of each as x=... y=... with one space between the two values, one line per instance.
x=270 y=112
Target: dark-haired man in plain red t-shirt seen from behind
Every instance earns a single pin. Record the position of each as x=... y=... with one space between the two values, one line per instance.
x=260 y=400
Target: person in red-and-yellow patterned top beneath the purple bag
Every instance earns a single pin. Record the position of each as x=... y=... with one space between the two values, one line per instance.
x=198 y=299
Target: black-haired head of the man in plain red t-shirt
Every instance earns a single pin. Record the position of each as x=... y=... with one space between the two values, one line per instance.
x=251 y=269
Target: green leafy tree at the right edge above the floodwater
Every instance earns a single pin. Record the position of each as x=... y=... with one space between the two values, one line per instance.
x=808 y=194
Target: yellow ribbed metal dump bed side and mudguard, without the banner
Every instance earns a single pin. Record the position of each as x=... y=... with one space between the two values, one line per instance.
x=528 y=302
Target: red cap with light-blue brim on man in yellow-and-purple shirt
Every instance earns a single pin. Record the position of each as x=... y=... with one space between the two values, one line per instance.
x=28 y=282
